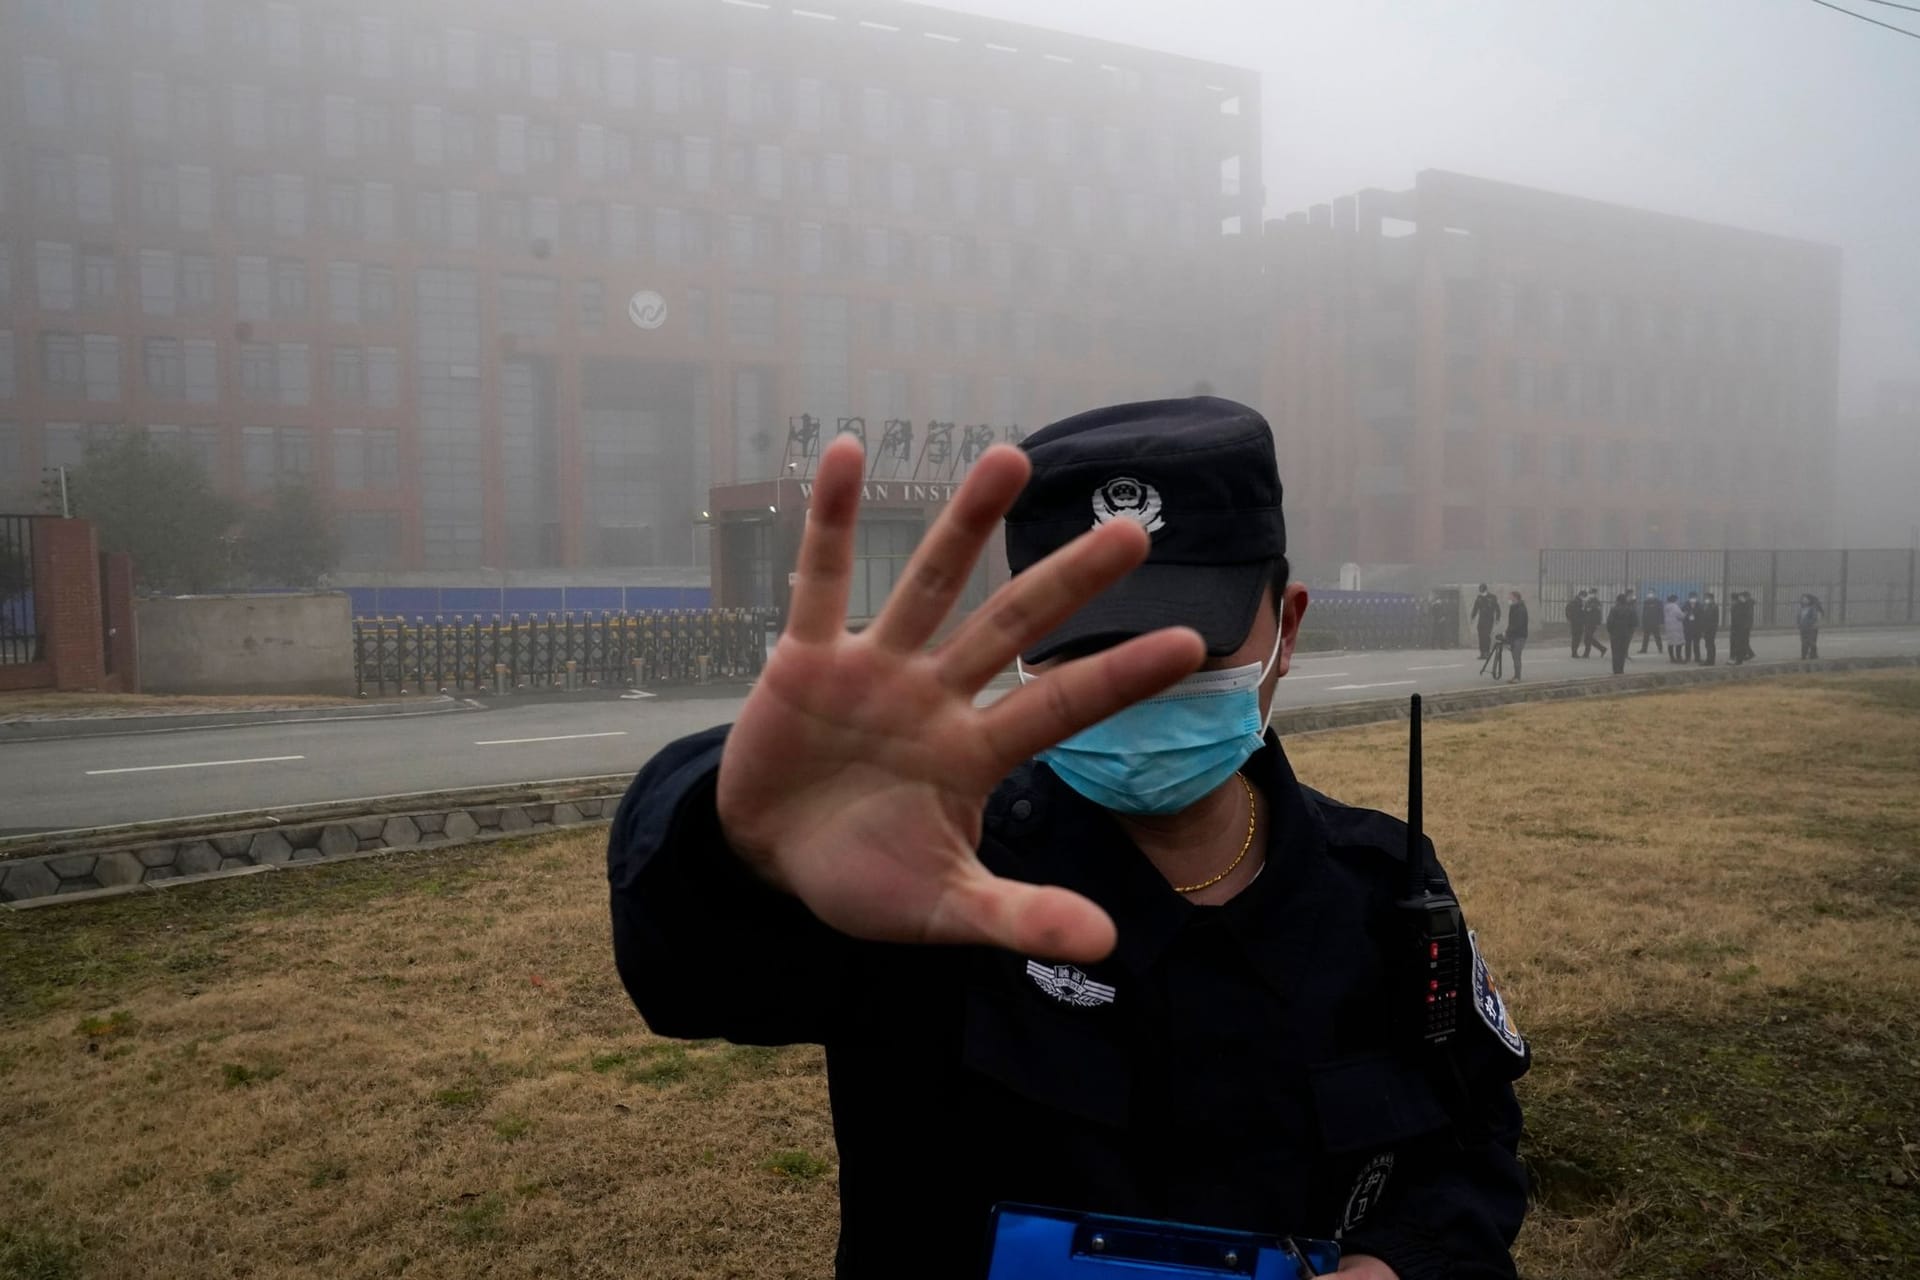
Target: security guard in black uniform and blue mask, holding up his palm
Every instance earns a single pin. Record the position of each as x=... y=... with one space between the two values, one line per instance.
x=1130 y=1016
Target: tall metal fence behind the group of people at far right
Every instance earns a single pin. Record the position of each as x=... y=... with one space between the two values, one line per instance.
x=1858 y=588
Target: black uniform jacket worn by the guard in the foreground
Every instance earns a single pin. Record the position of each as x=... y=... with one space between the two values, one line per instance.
x=1239 y=1066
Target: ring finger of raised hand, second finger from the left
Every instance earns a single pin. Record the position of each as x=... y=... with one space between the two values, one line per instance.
x=946 y=557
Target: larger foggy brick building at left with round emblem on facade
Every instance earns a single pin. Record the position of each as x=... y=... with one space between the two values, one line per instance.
x=521 y=285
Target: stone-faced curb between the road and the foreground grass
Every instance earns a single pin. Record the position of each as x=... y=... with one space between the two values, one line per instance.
x=82 y=866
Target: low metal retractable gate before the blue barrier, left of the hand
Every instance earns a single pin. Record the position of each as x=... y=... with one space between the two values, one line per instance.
x=560 y=652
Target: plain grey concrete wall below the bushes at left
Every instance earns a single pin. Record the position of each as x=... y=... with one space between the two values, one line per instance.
x=247 y=644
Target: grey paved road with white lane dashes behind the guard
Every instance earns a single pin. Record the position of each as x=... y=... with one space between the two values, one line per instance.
x=137 y=778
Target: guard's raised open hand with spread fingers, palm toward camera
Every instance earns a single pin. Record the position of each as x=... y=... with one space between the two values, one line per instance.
x=859 y=769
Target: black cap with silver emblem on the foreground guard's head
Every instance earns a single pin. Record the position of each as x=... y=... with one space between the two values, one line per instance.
x=1199 y=475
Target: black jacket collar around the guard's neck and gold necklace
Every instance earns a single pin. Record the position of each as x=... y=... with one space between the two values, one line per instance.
x=1061 y=838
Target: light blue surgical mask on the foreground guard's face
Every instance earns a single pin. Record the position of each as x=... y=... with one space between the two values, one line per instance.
x=1166 y=753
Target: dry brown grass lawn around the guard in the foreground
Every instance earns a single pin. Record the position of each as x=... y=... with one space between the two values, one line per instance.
x=1706 y=909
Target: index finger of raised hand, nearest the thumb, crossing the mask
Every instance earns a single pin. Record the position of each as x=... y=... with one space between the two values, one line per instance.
x=1088 y=692
